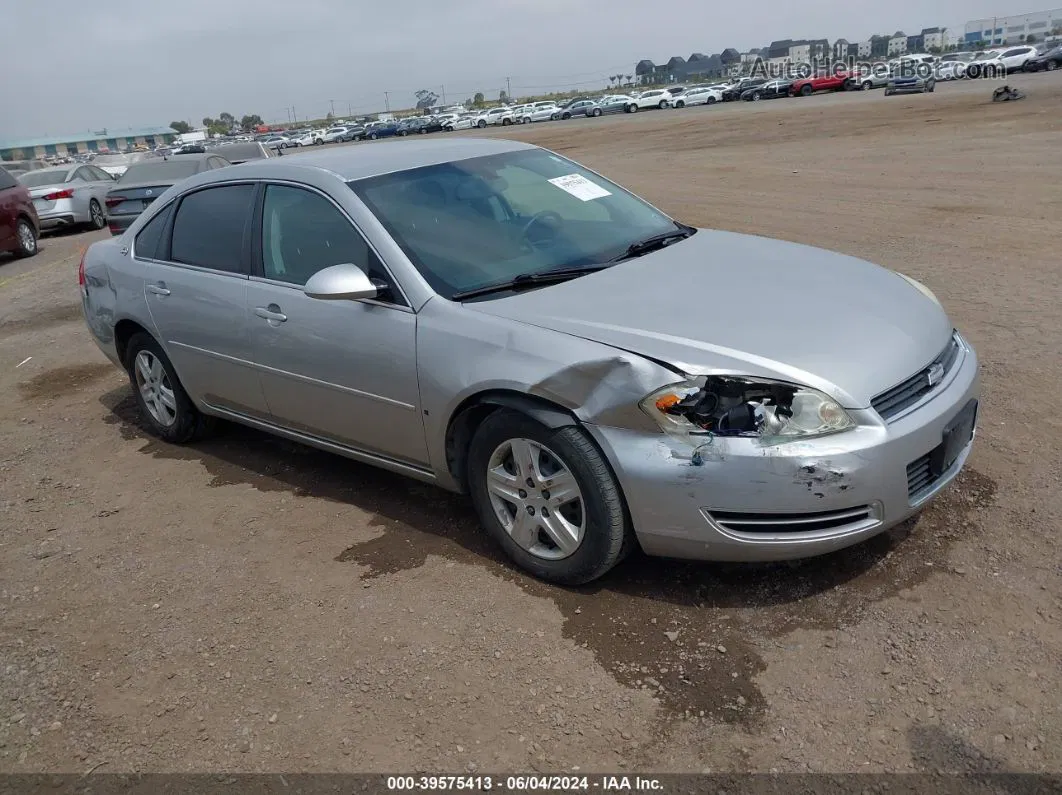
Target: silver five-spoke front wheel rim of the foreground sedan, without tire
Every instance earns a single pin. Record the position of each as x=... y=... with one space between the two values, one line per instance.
x=537 y=499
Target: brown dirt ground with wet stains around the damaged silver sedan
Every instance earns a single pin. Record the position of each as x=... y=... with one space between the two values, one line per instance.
x=247 y=604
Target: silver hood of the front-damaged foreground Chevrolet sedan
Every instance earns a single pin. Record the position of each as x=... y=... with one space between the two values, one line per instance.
x=745 y=305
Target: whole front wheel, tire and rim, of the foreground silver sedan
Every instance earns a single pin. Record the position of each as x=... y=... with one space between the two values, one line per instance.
x=549 y=497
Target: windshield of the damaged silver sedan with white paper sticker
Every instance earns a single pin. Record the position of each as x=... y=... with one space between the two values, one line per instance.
x=486 y=220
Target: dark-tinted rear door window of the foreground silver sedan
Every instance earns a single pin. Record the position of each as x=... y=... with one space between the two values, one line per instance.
x=211 y=228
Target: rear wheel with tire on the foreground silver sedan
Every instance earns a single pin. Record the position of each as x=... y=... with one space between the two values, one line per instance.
x=165 y=407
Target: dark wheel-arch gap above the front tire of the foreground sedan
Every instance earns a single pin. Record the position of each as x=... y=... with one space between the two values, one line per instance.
x=471 y=413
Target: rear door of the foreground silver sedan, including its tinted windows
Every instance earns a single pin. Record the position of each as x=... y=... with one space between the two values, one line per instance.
x=196 y=286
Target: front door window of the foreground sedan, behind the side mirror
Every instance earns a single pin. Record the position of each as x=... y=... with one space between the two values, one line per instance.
x=304 y=233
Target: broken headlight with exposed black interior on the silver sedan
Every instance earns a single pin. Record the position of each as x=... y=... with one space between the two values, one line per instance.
x=729 y=406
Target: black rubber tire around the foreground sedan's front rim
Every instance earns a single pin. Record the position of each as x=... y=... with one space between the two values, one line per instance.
x=603 y=515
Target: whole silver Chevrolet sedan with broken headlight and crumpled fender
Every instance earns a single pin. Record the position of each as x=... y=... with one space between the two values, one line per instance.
x=498 y=320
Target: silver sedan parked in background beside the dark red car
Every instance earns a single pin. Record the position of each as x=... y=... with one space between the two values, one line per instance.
x=70 y=196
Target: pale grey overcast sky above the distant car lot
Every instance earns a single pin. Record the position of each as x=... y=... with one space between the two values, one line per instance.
x=73 y=65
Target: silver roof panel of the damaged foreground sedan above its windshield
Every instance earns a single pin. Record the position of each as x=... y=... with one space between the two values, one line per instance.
x=385 y=158
